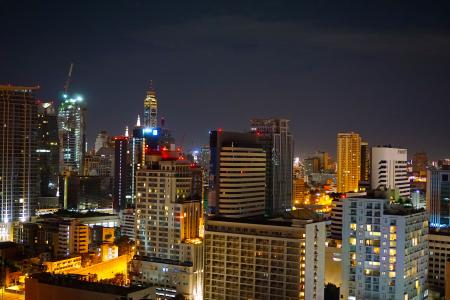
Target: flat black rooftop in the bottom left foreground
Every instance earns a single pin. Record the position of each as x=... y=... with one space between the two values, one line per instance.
x=75 y=282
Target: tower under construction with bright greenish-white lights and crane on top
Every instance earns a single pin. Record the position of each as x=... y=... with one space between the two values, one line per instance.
x=72 y=134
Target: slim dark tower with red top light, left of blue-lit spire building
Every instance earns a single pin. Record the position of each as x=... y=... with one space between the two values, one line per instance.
x=122 y=174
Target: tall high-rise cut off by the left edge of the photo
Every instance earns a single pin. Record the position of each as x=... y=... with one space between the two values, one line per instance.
x=18 y=164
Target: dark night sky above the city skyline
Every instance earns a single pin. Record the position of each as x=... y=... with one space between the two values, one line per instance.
x=380 y=68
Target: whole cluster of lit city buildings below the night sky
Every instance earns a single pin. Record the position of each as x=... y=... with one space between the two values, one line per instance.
x=239 y=218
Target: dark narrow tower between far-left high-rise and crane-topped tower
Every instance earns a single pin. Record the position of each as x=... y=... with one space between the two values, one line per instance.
x=48 y=149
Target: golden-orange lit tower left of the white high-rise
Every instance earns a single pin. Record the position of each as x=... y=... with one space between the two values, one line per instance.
x=349 y=162
